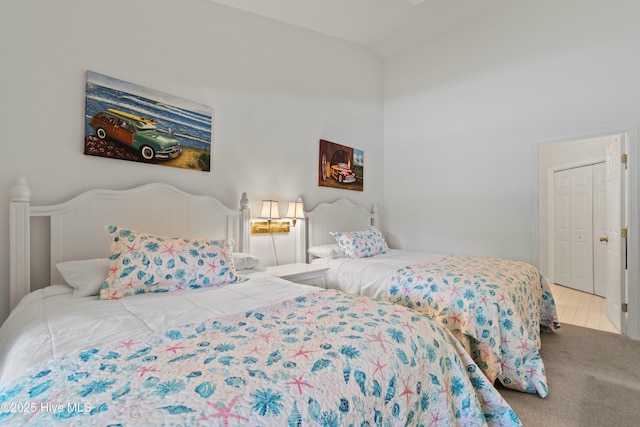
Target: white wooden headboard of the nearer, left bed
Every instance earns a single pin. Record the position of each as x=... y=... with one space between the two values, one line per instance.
x=77 y=226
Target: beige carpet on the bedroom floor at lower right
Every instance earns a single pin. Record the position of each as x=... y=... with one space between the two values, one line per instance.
x=593 y=378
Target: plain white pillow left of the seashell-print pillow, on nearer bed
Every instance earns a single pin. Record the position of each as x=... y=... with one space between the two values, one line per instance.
x=84 y=276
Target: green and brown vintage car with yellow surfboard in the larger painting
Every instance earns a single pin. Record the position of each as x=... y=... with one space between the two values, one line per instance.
x=137 y=132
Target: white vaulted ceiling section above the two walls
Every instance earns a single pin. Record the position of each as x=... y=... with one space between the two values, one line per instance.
x=387 y=26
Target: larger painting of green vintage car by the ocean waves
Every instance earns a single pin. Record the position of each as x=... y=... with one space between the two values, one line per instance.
x=130 y=122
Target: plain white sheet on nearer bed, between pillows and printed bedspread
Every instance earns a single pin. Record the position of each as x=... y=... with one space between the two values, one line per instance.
x=51 y=323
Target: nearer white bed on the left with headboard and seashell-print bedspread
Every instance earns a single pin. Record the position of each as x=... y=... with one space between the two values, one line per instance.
x=254 y=350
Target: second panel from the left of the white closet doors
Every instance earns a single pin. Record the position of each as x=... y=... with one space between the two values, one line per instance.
x=582 y=229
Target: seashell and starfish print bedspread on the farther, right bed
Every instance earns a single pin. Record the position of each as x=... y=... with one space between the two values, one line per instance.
x=494 y=306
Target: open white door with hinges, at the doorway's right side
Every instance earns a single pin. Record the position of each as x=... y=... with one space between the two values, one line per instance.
x=615 y=222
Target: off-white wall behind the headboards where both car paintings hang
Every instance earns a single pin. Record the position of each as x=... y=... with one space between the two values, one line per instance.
x=276 y=91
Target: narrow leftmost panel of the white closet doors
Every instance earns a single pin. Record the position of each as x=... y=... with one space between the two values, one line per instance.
x=562 y=230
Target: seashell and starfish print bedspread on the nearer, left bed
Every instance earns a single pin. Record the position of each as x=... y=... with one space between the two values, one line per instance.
x=327 y=359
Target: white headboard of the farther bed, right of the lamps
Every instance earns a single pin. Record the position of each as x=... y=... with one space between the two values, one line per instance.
x=341 y=215
